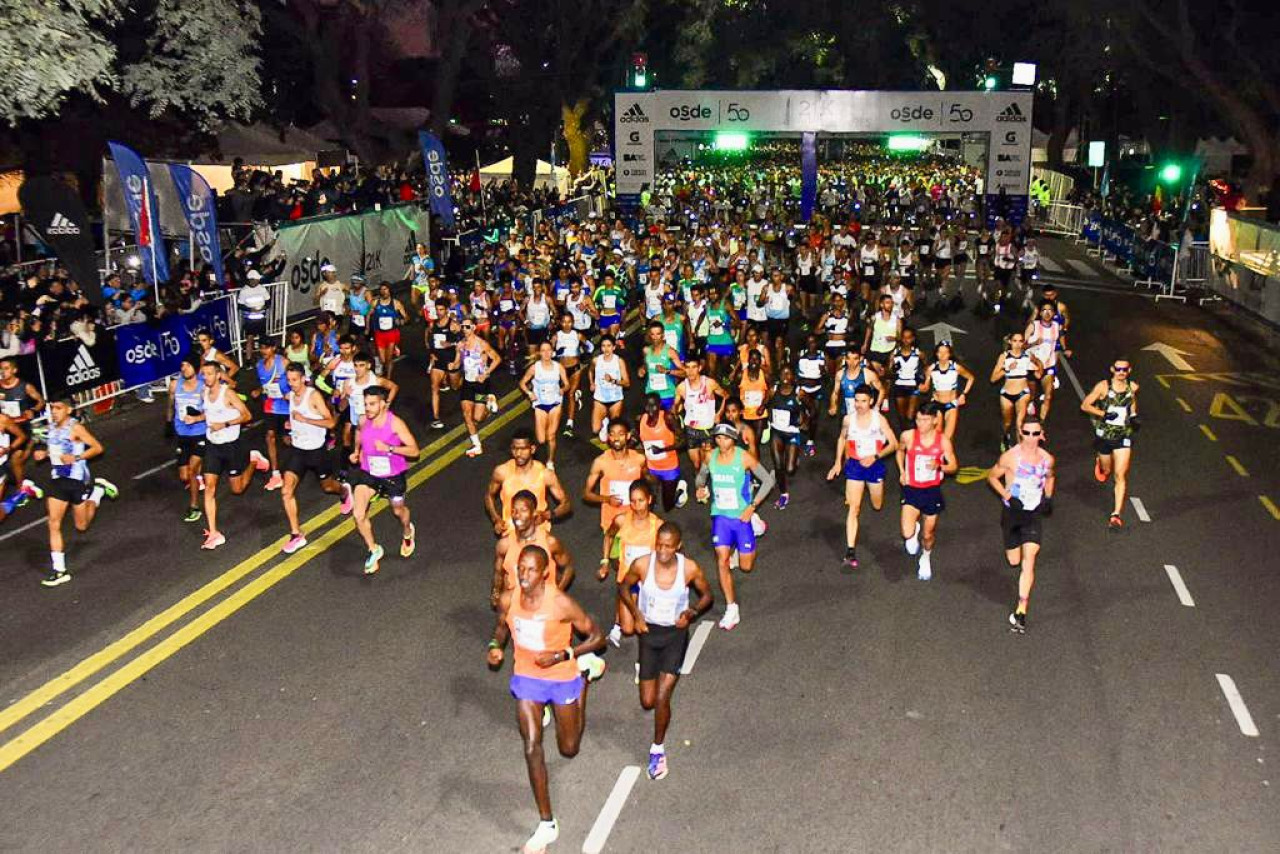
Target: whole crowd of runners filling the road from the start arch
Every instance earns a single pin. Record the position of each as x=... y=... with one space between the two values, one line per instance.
x=707 y=346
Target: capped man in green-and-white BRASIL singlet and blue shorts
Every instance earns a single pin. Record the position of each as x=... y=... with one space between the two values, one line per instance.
x=726 y=482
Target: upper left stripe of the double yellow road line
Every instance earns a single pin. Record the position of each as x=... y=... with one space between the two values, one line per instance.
x=68 y=681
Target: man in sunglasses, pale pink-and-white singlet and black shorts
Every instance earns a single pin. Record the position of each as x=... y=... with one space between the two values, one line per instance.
x=1025 y=481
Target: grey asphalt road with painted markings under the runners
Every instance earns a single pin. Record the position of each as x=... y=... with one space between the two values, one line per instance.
x=171 y=698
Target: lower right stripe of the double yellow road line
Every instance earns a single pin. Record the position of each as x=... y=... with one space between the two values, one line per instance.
x=99 y=693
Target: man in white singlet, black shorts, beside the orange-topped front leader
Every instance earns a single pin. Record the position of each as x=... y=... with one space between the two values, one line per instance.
x=662 y=616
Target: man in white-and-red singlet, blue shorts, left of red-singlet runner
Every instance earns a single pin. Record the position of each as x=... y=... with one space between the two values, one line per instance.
x=863 y=445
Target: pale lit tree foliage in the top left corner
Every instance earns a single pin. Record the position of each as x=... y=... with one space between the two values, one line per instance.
x=202 y=58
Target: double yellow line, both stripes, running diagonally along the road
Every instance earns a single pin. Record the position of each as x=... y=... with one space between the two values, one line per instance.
x=100 y=692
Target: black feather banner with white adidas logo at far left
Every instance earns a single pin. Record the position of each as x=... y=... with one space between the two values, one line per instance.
x=61 y=221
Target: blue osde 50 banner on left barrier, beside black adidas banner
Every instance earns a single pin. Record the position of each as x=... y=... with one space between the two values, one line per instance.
x=150 y=351
